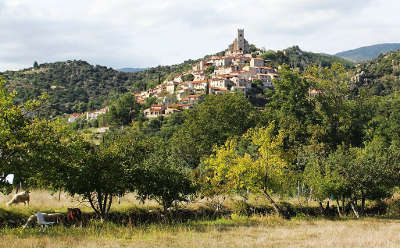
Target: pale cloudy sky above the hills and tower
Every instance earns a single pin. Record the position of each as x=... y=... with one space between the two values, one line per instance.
x=144 y=33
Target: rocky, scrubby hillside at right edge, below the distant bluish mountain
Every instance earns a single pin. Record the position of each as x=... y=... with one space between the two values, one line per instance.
x=380 y=76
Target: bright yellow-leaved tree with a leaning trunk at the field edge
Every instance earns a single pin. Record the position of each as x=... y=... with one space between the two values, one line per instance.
x=264 y=172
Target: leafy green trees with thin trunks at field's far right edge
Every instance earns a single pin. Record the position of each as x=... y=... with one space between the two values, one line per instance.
x=349 y=175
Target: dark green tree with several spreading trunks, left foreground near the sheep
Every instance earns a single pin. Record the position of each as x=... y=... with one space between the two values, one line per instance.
x=97 y=173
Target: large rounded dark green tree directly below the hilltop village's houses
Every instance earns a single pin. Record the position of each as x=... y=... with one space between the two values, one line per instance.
x=211 y=123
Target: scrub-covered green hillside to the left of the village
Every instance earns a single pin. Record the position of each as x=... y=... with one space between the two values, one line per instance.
x=77 y=86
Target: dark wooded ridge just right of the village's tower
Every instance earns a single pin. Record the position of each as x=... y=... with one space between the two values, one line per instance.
x=295 y=57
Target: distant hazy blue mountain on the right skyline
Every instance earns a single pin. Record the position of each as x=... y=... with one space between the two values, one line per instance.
x=366 y=53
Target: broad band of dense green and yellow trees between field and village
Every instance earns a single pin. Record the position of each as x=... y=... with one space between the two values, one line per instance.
x=317 y=130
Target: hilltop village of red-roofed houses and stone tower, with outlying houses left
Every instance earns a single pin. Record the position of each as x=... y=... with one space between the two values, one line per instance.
x=236 y=71
